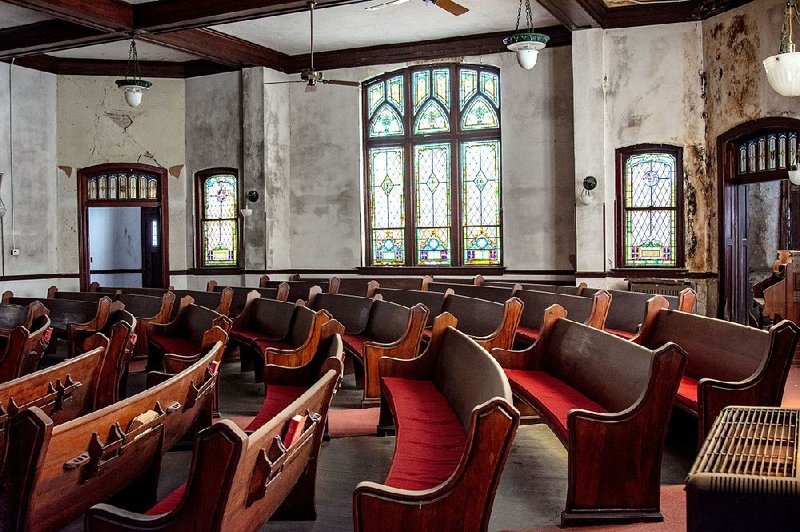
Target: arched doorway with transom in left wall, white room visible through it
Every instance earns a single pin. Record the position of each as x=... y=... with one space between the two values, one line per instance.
x=123 y=206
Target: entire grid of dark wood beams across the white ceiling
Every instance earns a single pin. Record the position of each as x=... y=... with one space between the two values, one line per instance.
x=183 y=25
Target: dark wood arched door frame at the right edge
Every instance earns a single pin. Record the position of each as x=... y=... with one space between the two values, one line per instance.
x=729 y=200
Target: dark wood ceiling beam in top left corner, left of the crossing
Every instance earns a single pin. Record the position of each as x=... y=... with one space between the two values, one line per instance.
x=106 y=15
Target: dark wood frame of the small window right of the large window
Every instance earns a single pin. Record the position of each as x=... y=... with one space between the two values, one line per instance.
x=621 y=154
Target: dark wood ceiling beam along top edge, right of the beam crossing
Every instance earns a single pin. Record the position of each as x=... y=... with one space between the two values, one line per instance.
x=171 y=15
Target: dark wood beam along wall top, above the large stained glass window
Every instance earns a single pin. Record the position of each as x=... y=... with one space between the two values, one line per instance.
x=487 y=43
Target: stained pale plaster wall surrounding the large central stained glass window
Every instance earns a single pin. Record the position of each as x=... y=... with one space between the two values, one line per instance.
x=536 y=114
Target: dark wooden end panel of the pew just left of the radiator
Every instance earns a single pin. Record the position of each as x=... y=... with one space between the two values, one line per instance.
x=616 y=457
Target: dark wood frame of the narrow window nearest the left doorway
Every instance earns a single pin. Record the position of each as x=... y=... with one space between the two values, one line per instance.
x=201 y=178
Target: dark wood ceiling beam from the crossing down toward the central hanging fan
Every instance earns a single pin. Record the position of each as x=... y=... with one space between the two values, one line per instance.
x=219 y=48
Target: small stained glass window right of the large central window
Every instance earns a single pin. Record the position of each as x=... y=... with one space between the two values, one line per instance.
x=650 y=208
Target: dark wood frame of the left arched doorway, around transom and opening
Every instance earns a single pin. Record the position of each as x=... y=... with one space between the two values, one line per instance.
x=83 y=212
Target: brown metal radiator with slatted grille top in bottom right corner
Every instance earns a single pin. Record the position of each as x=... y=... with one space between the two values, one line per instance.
x=745 y=476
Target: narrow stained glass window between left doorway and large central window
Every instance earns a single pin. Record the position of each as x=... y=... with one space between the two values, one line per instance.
x=218 y=218
